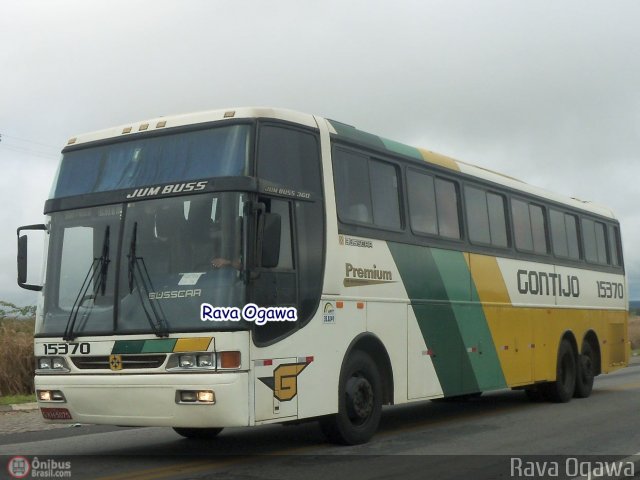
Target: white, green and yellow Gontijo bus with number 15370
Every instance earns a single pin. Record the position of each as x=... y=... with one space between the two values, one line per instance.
x=251 y=266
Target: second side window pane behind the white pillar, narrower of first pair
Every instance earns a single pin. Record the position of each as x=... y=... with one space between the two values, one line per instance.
x=385 y=194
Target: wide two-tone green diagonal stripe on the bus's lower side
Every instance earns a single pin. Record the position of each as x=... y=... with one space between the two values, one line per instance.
x=450 y=316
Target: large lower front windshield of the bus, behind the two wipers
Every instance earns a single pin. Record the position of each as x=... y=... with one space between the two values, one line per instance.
x=144 y=267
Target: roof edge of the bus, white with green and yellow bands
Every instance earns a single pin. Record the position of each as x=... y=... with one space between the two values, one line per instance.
x=342 y=130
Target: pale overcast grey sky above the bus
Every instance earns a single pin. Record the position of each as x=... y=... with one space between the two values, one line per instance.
x=544 y=91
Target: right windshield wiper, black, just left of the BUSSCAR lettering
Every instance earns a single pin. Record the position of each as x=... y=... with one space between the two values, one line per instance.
x=142 y=281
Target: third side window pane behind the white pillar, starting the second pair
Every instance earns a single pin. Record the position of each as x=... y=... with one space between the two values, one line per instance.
x=422 y=202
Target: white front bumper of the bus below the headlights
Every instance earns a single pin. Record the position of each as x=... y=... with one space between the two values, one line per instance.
x=150 y=400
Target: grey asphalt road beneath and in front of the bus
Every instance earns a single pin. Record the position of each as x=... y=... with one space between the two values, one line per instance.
x=475 y=439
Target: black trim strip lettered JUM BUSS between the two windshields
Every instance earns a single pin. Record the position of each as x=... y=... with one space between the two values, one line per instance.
x=213 y=185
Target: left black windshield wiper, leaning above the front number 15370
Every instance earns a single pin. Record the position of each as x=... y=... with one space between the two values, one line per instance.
x=97 y=275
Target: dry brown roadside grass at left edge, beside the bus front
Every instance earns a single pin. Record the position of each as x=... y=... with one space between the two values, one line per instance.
x=16 y=357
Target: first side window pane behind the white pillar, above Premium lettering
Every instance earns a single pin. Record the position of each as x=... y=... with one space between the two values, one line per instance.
x=351 y=178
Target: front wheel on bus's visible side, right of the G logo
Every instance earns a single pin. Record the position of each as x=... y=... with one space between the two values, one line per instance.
x=359 y=402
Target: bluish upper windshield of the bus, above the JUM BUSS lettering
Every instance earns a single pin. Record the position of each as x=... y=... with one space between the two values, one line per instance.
x=137 y=162
